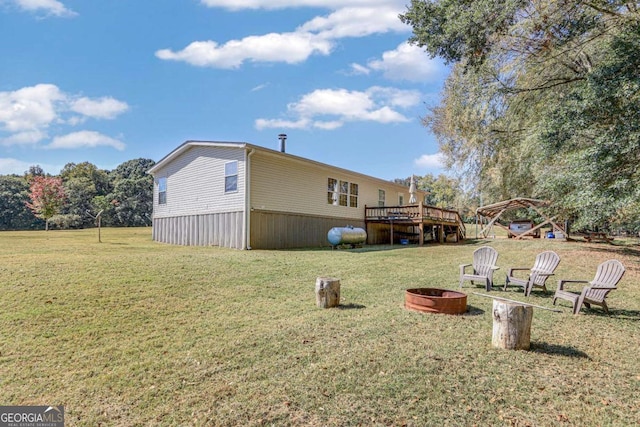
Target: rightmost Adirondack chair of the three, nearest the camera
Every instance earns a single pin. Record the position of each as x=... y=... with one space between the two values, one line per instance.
x=607 y=277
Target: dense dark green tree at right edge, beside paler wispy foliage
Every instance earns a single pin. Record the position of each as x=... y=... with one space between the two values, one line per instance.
x=596 y=134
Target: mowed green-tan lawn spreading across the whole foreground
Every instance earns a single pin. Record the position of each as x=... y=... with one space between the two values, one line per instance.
x=132 y=332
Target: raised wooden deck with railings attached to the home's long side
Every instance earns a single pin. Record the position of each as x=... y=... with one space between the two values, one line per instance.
x=416 y=223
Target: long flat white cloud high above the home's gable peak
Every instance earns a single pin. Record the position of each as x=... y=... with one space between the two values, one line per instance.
x=287 y=47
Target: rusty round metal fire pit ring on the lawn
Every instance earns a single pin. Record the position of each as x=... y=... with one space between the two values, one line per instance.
x=431 y=300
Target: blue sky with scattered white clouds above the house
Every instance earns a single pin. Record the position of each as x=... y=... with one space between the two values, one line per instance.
x=110 y=81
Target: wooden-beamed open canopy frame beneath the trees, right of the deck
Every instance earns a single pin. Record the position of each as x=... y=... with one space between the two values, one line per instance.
x=492 y=212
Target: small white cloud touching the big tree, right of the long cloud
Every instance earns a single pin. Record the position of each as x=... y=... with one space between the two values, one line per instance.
x=408 y=62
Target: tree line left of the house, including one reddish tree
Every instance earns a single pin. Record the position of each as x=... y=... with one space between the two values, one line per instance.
x=77 y=196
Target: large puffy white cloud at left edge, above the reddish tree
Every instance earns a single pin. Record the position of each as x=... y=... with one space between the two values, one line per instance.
x=28 y=114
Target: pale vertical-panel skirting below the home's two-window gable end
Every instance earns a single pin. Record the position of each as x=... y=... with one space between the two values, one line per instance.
x=218 y=229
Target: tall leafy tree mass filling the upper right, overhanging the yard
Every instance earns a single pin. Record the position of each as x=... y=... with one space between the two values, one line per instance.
x=543 y=101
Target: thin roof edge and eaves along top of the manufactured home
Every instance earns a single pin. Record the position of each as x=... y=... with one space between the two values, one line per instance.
x=244 y=145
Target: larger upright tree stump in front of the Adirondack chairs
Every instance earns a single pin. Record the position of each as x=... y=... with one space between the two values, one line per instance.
x=511 y=325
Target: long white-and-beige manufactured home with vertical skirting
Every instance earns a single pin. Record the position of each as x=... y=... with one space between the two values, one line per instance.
x=243 y=196
